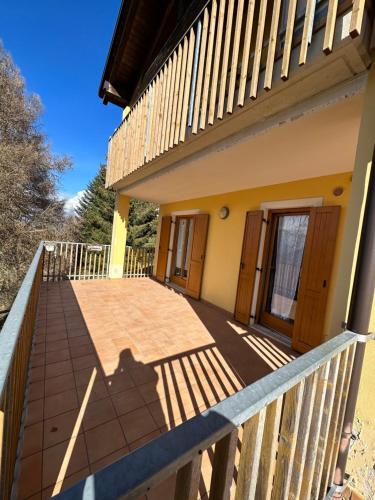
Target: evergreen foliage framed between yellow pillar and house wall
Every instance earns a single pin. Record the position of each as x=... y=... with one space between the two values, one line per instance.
x=143 y=217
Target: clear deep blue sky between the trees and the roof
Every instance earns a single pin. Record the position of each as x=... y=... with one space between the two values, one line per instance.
x=60 y=48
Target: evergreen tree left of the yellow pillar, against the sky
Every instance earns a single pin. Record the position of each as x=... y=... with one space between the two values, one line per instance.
x=95 y=211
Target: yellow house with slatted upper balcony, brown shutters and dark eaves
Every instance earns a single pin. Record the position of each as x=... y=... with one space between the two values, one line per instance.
x=252 y=125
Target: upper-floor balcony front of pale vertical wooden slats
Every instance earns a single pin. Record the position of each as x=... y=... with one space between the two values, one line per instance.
x=235 y=53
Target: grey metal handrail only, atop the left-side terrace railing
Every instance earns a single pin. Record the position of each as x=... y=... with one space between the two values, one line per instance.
x=13 y=324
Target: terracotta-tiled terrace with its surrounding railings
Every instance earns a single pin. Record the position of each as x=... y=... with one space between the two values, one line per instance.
x=133 y=388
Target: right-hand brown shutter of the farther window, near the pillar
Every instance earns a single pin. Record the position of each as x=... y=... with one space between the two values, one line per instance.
x=197 y=255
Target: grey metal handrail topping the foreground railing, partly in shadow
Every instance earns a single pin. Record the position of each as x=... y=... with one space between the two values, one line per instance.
x=156 y=461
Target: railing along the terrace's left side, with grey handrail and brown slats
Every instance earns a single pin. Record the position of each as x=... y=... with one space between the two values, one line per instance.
x=15 y=345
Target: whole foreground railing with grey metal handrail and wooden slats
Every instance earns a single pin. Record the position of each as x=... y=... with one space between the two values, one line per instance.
x=277 y=438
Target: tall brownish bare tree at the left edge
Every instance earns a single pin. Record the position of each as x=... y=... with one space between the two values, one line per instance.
x=30 y=208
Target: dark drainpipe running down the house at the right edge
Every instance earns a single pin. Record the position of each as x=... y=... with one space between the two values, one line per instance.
x=358 y=322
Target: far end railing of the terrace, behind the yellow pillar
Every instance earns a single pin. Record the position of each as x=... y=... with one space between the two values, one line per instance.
x=65 y=260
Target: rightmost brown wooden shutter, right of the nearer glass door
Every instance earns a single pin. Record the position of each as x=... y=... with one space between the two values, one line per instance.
x=315 y=278
